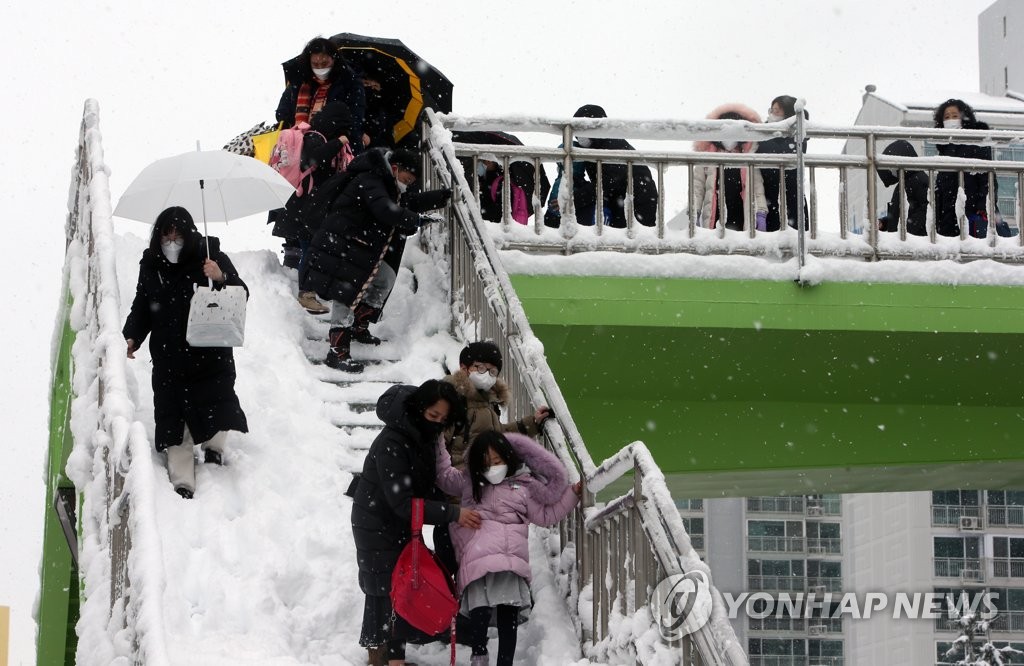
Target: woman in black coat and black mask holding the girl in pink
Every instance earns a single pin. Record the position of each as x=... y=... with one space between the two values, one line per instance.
x=399 y=468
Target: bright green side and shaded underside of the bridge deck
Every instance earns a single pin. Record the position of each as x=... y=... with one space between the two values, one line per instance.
x=744 y=388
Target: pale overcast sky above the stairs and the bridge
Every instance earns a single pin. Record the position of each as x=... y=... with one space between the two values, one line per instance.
x=169 y=73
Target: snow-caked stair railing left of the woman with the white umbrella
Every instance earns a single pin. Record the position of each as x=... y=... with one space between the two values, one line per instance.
x=112 y=453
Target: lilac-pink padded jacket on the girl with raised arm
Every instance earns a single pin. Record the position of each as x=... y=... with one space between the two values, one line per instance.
x=540 y=495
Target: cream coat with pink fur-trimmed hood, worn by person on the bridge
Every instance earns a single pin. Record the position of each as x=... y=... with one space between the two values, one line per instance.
x=705 y=195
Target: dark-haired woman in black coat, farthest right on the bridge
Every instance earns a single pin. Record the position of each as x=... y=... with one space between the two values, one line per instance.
x=957 y=114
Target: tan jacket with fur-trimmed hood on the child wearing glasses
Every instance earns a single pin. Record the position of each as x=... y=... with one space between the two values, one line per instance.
x=484 y=412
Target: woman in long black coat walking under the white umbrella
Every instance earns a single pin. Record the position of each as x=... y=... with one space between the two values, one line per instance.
x=194 y=397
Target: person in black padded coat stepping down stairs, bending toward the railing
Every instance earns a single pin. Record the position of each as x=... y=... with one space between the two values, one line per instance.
x=346 y=263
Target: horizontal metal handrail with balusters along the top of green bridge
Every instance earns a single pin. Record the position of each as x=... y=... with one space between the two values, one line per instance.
x=869 y=245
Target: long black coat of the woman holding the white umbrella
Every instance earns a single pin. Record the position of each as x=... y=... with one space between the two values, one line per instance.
x=192 y=387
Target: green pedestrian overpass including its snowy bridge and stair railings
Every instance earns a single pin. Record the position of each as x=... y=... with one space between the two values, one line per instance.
x=681 y=363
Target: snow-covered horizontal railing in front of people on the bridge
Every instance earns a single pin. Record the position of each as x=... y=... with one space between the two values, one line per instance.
x=674 y=172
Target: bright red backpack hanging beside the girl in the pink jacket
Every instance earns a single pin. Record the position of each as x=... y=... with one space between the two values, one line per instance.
x=422 y=592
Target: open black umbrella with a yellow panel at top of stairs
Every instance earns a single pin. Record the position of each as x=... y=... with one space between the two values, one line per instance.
x=408 y=82
